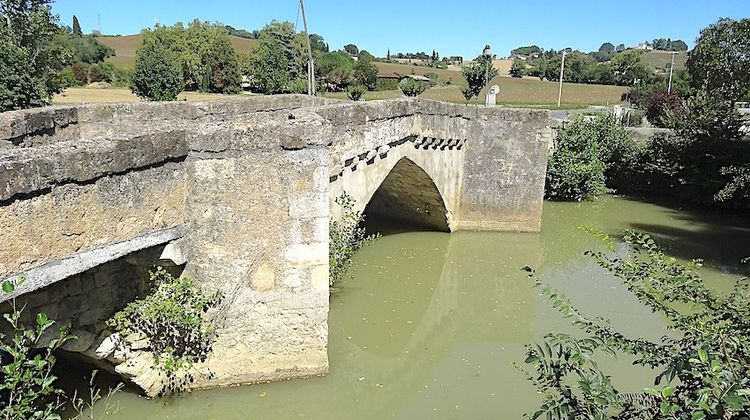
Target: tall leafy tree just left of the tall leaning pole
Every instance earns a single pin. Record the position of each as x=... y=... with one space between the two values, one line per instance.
x=274 y=61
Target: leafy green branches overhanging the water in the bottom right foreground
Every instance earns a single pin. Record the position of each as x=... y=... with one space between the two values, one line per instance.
x=703 y=374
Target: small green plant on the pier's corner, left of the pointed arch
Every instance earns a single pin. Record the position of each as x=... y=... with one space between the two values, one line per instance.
x=346 y=237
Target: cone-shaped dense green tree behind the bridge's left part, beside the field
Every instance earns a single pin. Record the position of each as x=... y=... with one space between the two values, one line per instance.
x=157 y=75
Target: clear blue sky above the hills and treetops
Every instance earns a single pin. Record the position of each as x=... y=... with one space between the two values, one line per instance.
x=460 y=27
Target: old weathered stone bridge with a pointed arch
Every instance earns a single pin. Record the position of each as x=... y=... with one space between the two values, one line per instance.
x=238 y=194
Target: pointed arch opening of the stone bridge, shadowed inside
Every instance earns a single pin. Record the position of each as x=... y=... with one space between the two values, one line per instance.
x=406 y=200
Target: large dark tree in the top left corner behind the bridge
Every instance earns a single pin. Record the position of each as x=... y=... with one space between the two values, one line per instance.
x=34 y=53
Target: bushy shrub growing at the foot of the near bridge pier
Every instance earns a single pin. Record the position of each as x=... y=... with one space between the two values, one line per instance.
x=172 y=321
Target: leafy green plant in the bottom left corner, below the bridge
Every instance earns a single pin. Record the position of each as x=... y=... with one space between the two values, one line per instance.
x=27 y=384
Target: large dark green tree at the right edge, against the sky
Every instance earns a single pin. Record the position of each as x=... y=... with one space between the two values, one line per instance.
x=719 y=63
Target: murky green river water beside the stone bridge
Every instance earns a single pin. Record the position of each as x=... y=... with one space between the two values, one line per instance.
x=432 y=322
